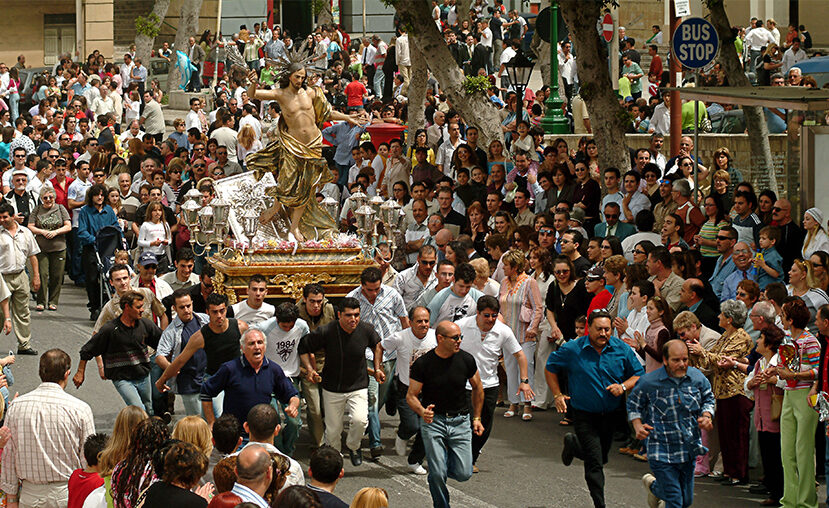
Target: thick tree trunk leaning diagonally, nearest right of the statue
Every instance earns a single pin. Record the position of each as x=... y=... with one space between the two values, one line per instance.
x=424 y=37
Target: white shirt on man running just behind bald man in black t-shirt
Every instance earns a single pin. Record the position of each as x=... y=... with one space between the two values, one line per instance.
x=487 y=348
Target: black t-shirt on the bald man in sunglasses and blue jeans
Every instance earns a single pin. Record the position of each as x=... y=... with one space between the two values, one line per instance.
x=444 y=380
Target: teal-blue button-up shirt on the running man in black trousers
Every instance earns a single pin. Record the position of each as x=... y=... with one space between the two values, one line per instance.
x=589 y=373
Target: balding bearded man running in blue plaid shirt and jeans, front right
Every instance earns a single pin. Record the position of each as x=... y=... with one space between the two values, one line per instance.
x=669 y=406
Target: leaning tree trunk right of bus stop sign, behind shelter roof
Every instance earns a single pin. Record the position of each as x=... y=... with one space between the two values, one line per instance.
x=758 y=133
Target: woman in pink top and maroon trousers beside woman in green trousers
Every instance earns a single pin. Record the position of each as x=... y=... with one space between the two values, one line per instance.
x=761 y=385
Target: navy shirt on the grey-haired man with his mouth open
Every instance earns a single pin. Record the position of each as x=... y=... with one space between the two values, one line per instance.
x=245 y=388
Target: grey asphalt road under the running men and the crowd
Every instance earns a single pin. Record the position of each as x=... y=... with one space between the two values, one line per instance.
x=520 y=465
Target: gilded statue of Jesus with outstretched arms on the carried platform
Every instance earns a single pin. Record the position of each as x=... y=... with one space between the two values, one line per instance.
x=296 y=153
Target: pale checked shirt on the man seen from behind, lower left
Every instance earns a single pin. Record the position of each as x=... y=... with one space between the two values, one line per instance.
x=48 y=428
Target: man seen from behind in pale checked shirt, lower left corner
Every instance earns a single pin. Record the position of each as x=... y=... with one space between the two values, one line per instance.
x=48 y=429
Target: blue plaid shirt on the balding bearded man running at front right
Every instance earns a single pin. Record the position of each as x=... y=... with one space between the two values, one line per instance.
x=672 y=407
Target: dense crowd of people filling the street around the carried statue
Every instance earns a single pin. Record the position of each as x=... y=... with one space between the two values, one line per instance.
x=649 y=308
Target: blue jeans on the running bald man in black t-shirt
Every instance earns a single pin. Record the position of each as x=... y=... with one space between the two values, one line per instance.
x=448 y=444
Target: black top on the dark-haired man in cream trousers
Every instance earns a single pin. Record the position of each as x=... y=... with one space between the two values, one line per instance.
x=345 y=354
